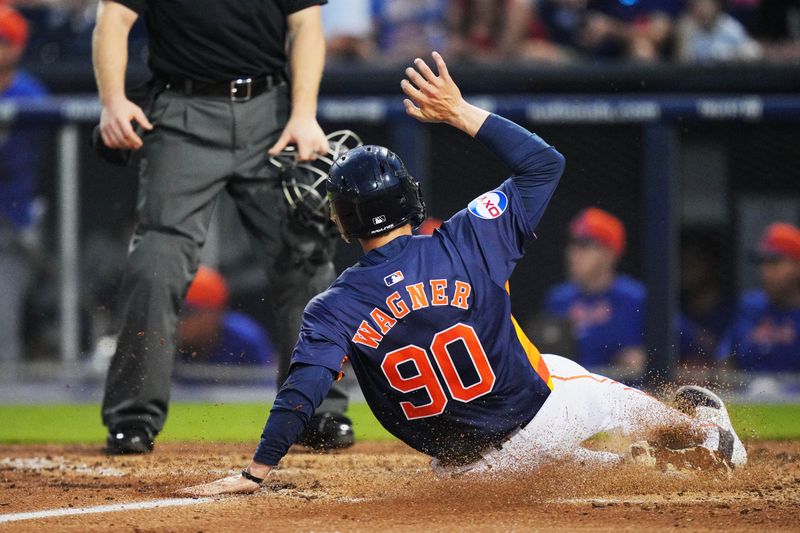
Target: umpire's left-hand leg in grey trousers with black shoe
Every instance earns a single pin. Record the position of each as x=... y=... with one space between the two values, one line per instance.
x=184 y=163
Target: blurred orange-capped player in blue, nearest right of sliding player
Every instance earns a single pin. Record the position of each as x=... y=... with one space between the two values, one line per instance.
x=606 y=310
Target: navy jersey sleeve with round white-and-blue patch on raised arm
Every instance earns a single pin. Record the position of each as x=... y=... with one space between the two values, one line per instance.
x=493 y=230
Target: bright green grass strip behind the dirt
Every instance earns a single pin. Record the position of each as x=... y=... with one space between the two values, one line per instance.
x=243 y=423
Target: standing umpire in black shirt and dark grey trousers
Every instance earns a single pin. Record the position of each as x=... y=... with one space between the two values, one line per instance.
x=219 y=102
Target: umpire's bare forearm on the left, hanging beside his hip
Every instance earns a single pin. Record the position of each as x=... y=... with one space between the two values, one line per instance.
x=110 y=48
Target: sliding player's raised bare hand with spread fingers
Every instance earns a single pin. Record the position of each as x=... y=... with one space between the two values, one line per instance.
x=437 y=98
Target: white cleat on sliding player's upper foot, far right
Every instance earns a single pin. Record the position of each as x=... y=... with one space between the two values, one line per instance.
x=706 y=406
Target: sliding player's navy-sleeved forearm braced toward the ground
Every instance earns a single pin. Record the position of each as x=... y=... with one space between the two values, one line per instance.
x=300 y=395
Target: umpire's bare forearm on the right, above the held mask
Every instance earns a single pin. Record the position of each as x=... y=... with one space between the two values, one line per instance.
x=306 y=60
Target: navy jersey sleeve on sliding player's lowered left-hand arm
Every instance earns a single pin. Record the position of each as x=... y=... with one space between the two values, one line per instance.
x=320 y=343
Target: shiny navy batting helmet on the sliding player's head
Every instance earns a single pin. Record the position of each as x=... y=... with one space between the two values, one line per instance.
x=371 y=193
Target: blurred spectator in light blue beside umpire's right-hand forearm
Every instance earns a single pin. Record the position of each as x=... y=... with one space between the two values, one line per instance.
x=348 y=29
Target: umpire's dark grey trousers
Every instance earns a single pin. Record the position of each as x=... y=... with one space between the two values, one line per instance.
x=201 y=148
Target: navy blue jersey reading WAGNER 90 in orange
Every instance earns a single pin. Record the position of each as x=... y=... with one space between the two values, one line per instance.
x=429 y=331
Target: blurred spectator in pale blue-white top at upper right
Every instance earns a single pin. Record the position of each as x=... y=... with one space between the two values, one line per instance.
x=706 y=33
